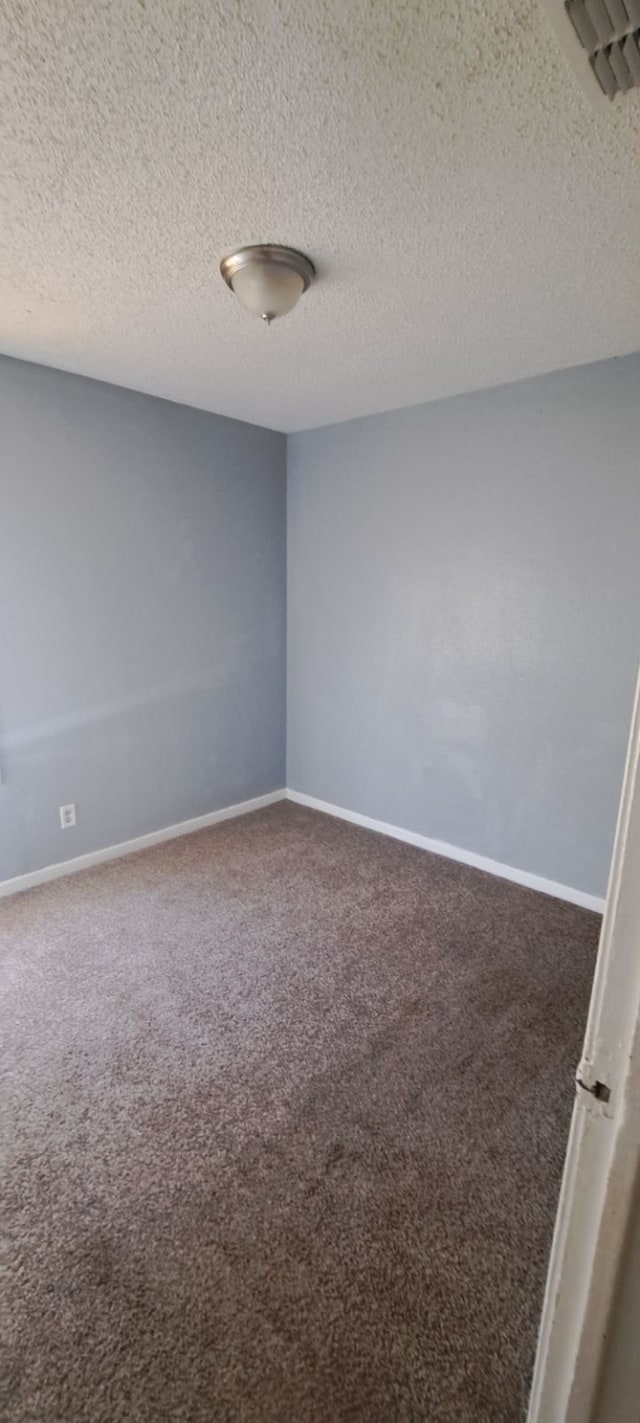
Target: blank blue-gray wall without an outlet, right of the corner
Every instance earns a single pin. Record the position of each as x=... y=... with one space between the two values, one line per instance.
x=464 y=617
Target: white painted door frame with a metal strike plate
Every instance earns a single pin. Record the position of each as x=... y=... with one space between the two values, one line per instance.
x=602 y=1169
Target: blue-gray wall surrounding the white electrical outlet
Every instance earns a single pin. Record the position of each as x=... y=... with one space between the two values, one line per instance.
x=143 y=614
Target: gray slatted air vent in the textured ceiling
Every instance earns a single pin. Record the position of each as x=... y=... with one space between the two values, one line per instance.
x=602 y=41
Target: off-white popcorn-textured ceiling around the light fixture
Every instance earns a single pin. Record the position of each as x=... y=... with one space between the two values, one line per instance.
x=471 y=217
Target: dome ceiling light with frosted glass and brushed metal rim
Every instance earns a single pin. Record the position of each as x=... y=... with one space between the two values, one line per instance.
x=268 y=280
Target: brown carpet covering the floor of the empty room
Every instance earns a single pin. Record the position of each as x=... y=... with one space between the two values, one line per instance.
x=288 y=1111
